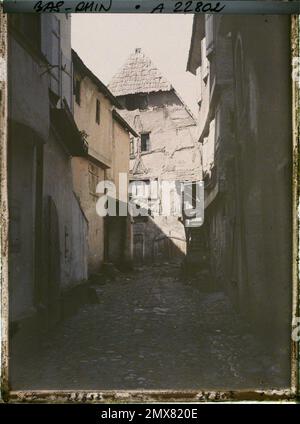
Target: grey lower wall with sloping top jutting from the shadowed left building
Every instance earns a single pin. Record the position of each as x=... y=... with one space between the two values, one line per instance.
x=72 y=223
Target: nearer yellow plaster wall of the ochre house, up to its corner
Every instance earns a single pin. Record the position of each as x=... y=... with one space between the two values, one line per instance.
x=99 y=139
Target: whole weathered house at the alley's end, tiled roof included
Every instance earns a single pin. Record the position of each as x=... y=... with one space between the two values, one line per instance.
x=165 y=150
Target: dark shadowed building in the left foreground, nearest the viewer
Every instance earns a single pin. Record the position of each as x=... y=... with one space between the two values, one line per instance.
x=48 y=228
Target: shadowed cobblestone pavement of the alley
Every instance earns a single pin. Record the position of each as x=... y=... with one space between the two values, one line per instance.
x=150 y=330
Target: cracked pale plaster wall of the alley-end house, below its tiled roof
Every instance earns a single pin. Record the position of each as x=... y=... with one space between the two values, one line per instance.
x=174 y=155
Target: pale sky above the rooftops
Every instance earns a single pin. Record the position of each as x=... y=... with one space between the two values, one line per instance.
x=104 y=42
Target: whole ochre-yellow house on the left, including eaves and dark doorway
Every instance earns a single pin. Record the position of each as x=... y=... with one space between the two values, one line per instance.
x=107 y=140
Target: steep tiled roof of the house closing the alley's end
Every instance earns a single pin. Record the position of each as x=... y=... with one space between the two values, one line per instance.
x=138 y=75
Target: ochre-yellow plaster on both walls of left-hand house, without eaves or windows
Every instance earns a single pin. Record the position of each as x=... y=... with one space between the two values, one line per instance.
x=108 y=149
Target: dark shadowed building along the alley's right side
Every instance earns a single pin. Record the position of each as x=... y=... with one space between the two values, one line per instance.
x=243 y=79
